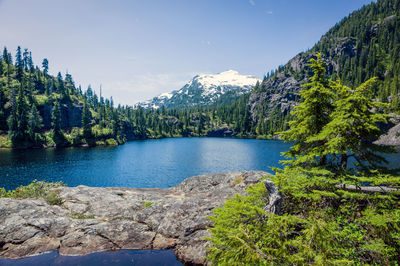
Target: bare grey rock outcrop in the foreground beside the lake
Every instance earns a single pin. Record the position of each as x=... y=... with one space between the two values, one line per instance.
x=96 y=219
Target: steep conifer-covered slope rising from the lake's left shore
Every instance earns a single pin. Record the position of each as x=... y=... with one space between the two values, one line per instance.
x=37 y=109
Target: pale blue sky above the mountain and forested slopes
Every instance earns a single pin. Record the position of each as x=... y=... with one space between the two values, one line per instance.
x=138 y=49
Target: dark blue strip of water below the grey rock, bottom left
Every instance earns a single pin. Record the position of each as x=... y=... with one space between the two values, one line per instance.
x=122 y=257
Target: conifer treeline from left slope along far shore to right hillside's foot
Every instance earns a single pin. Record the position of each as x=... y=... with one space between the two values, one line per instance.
x=38 y=110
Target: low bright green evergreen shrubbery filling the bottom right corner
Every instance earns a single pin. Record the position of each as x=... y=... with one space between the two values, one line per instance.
x=321 y=224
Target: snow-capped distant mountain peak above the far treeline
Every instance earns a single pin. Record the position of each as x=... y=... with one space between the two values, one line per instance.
x=204 y=89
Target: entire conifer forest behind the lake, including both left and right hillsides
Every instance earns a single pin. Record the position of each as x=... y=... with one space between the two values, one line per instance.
x=37 y=109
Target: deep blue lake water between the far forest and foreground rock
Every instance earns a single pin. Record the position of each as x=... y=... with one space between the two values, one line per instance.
x=149 y=163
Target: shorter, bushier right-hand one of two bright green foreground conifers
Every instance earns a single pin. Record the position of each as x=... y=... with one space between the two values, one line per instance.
x=354 y=127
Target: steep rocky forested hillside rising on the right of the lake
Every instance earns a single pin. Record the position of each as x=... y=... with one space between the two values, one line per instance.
x=363 y=45
